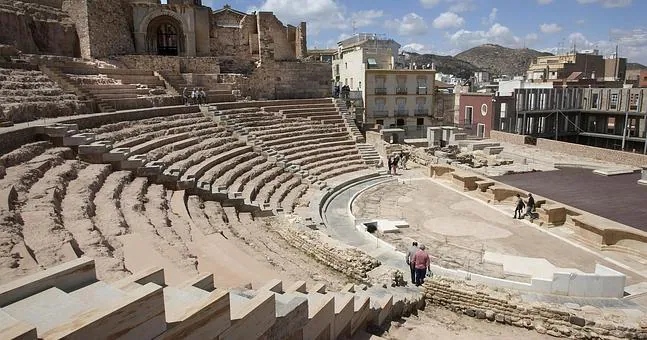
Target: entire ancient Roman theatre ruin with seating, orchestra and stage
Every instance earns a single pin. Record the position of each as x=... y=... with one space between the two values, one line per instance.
x=265 y=212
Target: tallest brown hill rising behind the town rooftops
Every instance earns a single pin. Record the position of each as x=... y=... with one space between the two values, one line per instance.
x=500 y=60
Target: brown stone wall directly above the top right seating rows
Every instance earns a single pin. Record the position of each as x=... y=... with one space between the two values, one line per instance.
x=291 y=80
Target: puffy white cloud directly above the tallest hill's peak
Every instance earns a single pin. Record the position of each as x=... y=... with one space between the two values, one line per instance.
x=497 y=34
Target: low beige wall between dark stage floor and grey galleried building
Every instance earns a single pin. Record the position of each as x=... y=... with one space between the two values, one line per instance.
x=606 y=155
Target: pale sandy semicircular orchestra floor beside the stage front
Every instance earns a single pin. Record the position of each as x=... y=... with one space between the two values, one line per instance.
x=457 y=227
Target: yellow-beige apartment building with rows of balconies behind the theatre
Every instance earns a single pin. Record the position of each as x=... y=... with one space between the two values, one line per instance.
x=398 y=98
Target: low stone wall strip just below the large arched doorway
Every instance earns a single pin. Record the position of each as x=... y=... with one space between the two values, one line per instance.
x=169 y=64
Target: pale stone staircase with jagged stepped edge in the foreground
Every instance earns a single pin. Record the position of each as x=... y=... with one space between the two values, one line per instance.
x=67 y=301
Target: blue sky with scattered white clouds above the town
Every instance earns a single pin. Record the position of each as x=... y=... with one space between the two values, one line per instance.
x=451 y=26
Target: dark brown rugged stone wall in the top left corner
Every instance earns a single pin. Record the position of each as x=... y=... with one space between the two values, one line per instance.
x=36 y=29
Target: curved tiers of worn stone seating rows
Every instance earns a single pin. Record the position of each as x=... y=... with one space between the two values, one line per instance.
x=57 y=204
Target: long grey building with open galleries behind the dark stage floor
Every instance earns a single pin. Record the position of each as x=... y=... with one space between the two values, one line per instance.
x=614 y=118
